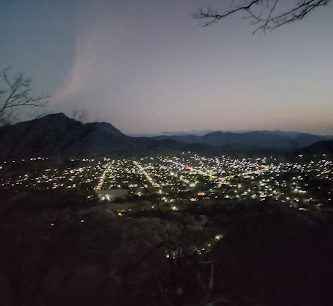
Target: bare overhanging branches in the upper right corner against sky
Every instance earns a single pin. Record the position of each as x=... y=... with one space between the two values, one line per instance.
x=264 y=14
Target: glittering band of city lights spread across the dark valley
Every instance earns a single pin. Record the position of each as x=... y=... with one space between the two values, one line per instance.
x=171 y=179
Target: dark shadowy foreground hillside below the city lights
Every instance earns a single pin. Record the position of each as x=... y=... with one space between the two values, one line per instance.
x=58 y=249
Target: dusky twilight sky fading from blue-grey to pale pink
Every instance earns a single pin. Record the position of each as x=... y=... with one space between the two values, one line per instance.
x=146 y=66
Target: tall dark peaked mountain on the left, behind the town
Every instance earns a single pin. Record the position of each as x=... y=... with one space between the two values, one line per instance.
x=58 y=135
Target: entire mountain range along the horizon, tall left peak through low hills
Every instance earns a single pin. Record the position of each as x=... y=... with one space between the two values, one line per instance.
x=58 y=135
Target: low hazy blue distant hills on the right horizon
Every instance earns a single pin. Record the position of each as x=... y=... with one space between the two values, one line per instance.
x=256 y=139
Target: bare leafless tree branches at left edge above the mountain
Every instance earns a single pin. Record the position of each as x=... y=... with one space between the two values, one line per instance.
x=16 y=95
